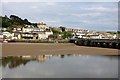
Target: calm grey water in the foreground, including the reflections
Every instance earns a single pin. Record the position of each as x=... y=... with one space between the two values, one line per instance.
x=60 y=66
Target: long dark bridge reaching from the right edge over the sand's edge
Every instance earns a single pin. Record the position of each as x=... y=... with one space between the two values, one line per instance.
x=106 y=43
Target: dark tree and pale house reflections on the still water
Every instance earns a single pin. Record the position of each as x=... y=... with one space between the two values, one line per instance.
x=15 y=61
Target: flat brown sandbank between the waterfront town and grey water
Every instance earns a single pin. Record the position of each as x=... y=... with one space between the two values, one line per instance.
x=17 y=49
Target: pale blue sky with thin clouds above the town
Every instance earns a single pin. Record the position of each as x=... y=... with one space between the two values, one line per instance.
x=99 y=16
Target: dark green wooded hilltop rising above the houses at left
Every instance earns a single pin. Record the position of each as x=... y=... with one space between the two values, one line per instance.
x=13 y=21
